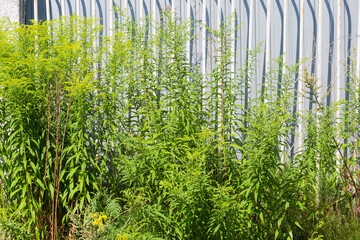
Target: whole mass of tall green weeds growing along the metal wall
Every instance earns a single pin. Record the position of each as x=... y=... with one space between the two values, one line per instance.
x=129 y=141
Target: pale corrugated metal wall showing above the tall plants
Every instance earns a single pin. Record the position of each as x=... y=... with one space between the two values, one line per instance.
x=322 y=31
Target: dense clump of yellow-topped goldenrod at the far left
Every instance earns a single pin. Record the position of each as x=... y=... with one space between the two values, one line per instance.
x=46 y=78
